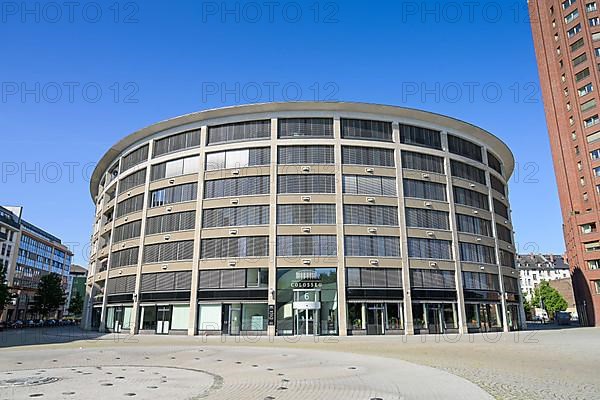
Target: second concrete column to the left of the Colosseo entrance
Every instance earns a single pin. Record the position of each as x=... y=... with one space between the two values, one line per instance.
x=193 y=315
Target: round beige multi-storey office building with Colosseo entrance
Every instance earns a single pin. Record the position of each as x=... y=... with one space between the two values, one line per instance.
x=307 y=218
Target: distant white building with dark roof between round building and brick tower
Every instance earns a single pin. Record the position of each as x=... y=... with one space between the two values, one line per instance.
x=535 y=268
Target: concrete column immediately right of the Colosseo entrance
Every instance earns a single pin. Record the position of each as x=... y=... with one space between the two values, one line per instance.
x=339 y=200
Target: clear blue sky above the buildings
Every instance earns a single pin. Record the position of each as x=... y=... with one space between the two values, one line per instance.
x=154 y=60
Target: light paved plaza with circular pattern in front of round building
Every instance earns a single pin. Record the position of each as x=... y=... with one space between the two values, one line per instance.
x=62 y=364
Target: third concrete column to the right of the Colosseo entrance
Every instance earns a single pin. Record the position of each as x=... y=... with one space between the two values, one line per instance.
x=462 y=319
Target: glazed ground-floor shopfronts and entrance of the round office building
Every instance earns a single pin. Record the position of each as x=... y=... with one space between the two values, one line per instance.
x=306 y=301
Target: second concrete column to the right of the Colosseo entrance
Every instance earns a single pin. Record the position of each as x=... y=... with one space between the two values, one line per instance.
x=409 y=328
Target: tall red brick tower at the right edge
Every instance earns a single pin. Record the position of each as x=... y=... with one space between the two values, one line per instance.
x=563 y=31
